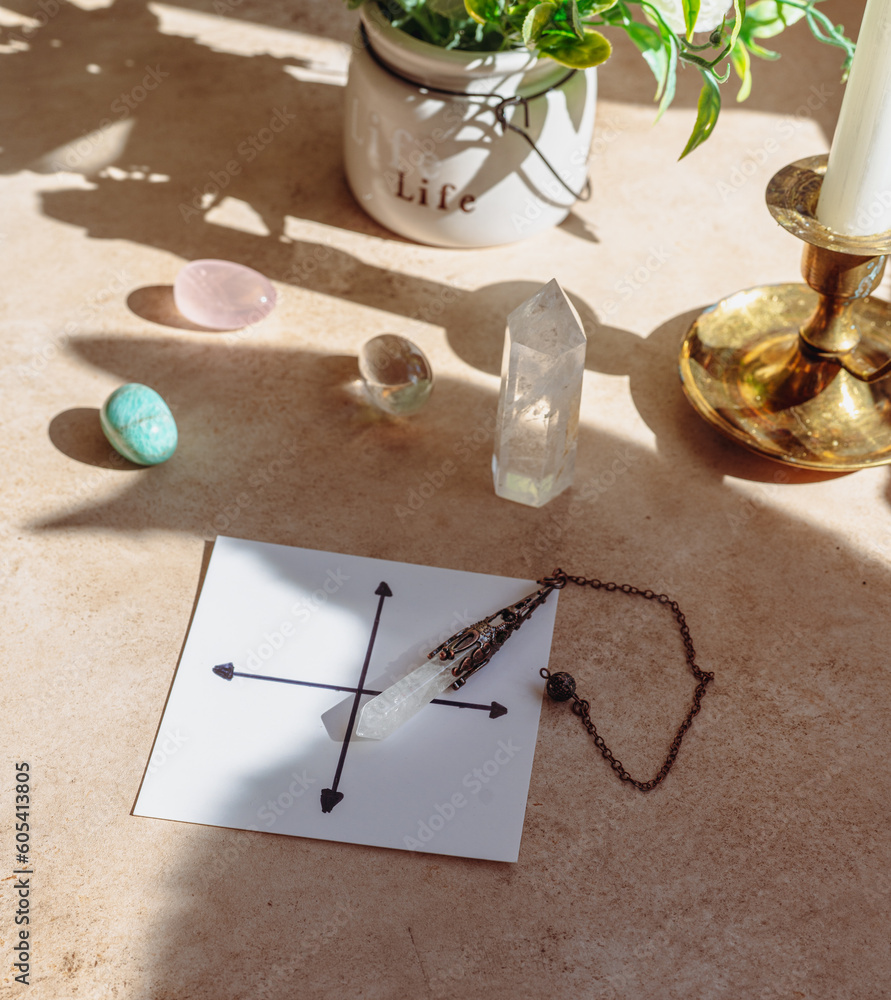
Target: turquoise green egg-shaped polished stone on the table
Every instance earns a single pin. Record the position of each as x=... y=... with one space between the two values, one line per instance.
x=139 y=424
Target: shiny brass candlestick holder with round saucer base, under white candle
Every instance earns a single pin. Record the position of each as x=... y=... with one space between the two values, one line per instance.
x=797 y=373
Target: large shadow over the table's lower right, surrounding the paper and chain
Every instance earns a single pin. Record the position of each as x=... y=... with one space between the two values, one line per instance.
x=276 y=447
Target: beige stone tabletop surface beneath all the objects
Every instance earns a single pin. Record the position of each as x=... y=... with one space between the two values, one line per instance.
x=759 y=869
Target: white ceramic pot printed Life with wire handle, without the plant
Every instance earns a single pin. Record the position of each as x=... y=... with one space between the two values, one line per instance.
x=426 y=157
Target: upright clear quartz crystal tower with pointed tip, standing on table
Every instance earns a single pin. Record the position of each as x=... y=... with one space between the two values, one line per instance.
x=541 y=390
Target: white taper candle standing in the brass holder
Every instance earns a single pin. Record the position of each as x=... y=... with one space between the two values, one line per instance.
x=856 y=195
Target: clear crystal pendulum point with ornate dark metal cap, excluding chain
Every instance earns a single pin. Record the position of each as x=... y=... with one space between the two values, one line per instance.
x=473 y=647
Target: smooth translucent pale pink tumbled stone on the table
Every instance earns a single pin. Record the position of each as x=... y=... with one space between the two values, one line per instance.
x=222 y=295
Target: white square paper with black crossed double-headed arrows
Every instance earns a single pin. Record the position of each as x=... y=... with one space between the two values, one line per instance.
x=255 y=751
